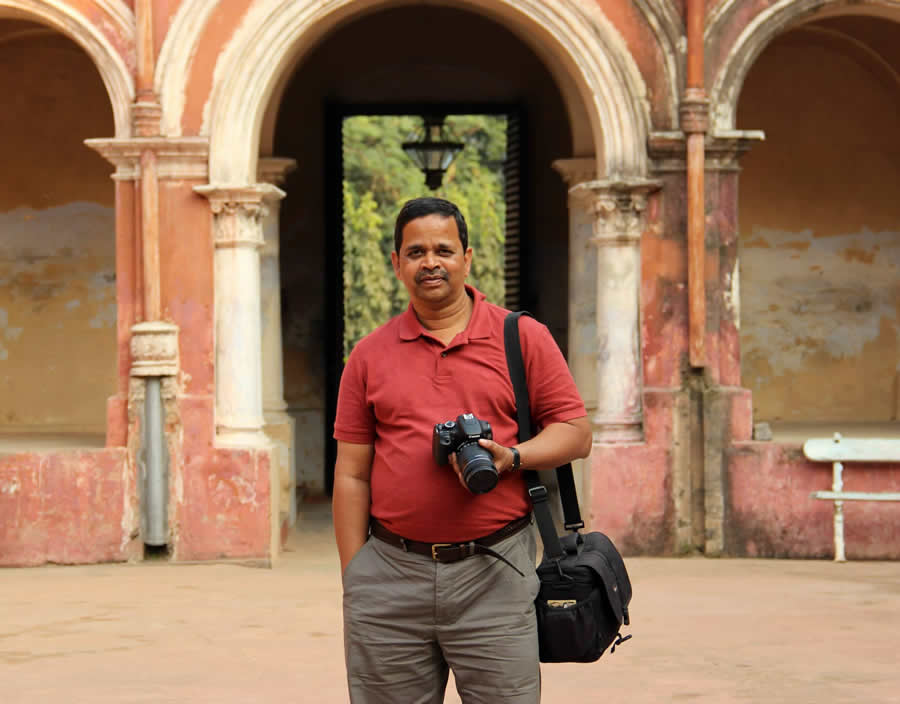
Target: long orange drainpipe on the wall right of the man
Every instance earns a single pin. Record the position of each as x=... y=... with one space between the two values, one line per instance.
x=694 y=113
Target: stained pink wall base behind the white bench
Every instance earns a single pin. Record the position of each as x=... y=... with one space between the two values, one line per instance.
x=771 y=513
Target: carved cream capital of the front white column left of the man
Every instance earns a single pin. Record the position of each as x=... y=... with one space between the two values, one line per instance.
x=239 y=211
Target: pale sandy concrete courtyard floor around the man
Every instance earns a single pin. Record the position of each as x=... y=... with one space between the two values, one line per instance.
x=704 y=631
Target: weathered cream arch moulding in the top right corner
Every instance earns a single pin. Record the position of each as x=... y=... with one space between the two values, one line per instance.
x=761 y=30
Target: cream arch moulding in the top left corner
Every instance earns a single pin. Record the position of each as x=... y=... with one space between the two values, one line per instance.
x=111 y=66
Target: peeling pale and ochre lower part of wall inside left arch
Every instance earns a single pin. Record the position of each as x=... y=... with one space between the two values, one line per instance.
x=57 y=318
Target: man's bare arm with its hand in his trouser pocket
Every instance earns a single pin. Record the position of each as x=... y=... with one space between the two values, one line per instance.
x=351 y=498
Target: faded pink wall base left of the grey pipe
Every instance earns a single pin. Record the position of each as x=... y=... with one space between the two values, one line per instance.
x=66 y=507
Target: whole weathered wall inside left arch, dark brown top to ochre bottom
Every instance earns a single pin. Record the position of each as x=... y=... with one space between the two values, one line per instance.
x=57 y=247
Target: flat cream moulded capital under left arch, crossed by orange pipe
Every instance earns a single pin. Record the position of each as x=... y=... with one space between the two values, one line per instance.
x=185 y=158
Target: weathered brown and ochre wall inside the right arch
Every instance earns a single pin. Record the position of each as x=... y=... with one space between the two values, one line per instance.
x=820 y=228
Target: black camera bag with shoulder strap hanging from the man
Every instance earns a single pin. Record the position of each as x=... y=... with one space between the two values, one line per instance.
x=585 y=589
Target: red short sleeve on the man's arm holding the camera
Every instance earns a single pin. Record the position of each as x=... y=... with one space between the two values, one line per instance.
x=552 y=392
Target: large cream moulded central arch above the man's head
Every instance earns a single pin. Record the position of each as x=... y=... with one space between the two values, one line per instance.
x=586 y=48
